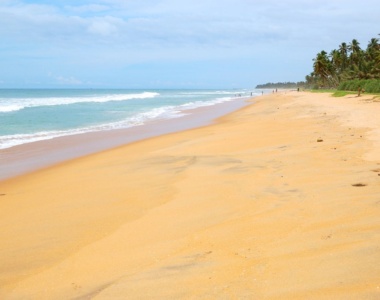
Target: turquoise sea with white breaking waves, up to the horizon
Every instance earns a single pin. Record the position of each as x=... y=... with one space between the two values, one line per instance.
x=29 y=115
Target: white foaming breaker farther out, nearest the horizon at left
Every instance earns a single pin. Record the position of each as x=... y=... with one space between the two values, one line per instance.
x=21 y=103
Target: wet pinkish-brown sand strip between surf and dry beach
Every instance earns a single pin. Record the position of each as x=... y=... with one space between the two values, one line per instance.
x=26 y=158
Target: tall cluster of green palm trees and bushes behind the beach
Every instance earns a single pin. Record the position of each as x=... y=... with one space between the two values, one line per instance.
x=348 y=68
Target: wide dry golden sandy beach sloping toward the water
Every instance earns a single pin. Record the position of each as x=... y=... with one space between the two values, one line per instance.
x=278 y=200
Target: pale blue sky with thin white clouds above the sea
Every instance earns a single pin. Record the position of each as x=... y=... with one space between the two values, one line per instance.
x=146 y=44
